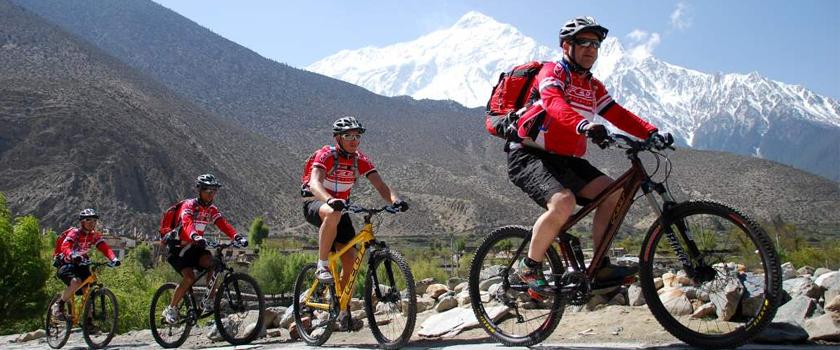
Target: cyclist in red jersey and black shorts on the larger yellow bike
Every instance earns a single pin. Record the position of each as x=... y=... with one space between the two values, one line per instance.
x=327 y=181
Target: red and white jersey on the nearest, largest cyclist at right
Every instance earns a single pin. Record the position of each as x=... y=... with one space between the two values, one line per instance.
x=568 y=109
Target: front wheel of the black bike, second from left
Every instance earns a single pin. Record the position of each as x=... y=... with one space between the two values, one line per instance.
x=240 y=306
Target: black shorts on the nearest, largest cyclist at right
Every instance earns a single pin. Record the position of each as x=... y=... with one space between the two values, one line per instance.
x=541 y=174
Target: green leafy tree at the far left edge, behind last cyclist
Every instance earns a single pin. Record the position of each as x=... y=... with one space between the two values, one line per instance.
x=25 y=272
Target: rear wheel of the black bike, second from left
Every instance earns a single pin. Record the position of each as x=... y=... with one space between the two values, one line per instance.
x=171 y=335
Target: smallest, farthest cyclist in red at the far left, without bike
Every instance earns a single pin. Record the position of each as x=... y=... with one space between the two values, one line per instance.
x=72 y=249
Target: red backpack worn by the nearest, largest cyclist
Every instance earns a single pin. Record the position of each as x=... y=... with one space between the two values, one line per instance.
x=509 y=95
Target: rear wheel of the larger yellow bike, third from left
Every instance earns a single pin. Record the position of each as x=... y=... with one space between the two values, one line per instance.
x=315 y=307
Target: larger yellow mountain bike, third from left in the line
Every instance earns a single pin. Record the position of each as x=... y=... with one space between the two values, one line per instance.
x=389 y=291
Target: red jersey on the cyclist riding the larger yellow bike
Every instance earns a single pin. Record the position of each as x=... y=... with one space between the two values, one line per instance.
x=338 y=183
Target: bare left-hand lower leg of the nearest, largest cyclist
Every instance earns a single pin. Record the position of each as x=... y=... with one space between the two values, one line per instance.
x=560 y=207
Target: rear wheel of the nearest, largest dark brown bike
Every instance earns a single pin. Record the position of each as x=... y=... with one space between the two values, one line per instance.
x=500 y=300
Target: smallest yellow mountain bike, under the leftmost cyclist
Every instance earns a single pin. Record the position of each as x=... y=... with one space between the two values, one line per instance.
x=98 y=314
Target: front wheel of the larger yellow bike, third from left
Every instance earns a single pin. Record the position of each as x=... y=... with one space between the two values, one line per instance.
x=390 y=299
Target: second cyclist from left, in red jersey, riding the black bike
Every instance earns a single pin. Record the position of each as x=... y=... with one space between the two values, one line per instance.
x=190 y=251
